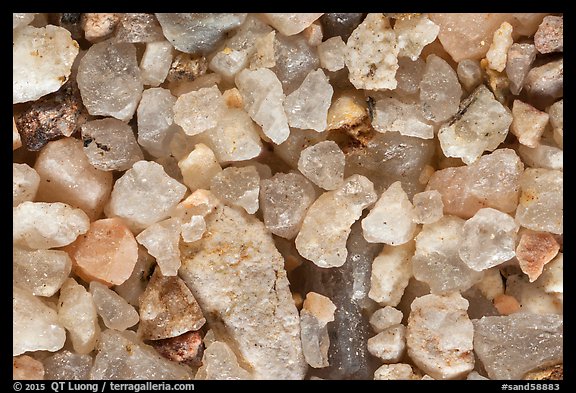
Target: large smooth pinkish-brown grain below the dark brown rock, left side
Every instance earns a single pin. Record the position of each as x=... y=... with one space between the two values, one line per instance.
x=66 y=175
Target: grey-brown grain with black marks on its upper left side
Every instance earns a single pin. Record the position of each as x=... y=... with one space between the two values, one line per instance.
x=110 y=144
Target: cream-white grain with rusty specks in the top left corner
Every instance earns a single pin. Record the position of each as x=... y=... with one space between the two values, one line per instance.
x=42 y=61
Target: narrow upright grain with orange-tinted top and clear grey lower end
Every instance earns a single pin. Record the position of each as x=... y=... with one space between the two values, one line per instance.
x=317 y=312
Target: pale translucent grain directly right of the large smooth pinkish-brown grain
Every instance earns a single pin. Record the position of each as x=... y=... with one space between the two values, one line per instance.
x=143 y=195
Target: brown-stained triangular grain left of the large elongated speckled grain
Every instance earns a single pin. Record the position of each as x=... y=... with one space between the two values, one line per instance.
x=168 y=308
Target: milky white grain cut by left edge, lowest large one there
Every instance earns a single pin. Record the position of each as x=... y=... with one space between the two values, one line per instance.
x=35 y=325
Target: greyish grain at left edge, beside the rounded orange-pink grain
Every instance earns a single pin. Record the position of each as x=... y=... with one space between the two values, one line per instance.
x=42 y=272
